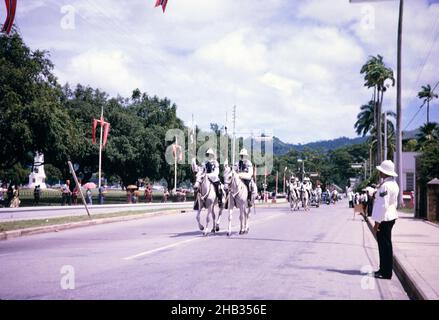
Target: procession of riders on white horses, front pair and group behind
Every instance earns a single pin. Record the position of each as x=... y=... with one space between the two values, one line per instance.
x=239 y=191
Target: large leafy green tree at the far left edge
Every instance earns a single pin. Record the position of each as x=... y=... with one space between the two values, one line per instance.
x=31 y=116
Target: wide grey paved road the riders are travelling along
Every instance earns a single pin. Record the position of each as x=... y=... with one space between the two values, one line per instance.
x=316 y=255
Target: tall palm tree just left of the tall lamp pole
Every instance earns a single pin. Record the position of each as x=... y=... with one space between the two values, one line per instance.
x=376 y=75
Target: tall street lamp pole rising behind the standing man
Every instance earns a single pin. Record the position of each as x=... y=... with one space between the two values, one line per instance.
x=398 y=159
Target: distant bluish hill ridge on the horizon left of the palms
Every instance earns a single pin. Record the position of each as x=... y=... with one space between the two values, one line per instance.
x=281 y=148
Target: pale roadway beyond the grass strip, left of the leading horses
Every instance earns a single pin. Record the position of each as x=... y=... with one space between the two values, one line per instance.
x=26 y=213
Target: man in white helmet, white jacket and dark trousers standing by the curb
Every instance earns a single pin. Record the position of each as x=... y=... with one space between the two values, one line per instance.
x=384 y=214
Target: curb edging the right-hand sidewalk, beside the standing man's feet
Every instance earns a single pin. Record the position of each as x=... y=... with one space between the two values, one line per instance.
x=407 y=281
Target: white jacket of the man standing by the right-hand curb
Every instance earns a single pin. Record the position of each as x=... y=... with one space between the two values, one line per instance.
x=386 y=201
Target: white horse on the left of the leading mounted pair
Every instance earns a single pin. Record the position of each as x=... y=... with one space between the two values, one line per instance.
x=206 y=199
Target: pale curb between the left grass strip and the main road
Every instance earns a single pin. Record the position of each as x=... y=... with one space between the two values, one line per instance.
x=6 y=235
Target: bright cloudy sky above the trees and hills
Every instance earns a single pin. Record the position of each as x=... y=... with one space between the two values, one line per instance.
x=290 y=67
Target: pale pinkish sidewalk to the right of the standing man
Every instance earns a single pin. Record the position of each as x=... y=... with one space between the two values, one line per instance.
x=416 y=255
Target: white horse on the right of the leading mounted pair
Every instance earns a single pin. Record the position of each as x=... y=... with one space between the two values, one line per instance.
x=237 y=197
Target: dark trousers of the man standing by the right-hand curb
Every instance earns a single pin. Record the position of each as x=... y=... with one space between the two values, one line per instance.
x=384 y=238
